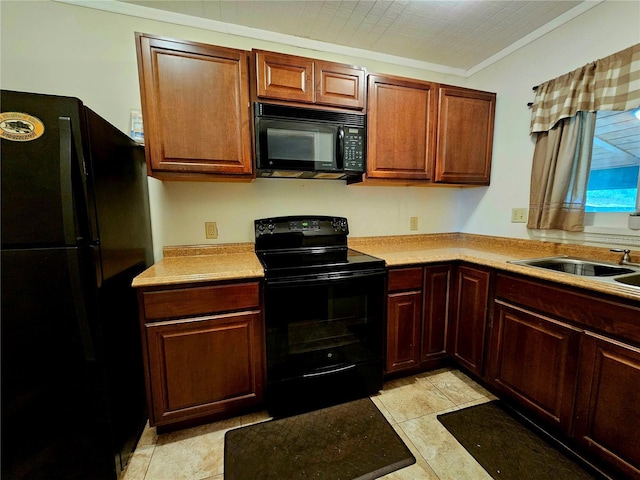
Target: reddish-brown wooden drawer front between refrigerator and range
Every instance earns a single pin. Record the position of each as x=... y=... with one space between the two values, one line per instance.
x=186 y=302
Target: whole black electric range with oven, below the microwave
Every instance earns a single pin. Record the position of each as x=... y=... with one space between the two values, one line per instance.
x=324 y=314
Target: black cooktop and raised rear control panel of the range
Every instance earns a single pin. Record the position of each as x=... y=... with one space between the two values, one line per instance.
x=307 y=246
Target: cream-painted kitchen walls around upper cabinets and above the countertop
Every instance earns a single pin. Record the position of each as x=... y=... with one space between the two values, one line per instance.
x=64 y=49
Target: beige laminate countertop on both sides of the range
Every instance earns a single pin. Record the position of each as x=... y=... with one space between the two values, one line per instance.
x=238 y=261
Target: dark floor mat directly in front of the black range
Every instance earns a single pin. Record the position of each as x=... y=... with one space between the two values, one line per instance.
x=343 y=442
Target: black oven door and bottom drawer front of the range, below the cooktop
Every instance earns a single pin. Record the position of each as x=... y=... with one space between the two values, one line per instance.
x=324 y=339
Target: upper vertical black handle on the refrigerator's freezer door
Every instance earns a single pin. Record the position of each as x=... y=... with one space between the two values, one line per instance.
x=66 y=181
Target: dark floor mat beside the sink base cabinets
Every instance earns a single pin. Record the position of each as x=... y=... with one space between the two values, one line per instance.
x=506 y=448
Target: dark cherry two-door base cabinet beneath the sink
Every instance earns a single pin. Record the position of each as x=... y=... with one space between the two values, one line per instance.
x=571 y=357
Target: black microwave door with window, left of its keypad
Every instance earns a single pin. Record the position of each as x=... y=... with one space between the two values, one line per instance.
x=298 y=145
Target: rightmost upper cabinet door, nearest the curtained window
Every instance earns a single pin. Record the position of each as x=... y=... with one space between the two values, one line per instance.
x=465 y=136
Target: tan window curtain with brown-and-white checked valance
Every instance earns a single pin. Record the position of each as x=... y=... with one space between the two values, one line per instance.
x=563 y=118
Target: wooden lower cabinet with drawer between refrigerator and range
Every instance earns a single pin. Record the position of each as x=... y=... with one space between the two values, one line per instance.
x=204 y=351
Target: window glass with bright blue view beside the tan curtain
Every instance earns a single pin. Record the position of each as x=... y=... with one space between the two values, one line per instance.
x=615 y=163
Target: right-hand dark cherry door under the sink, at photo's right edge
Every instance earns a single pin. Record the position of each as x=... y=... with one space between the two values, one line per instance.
x=608 y=402
